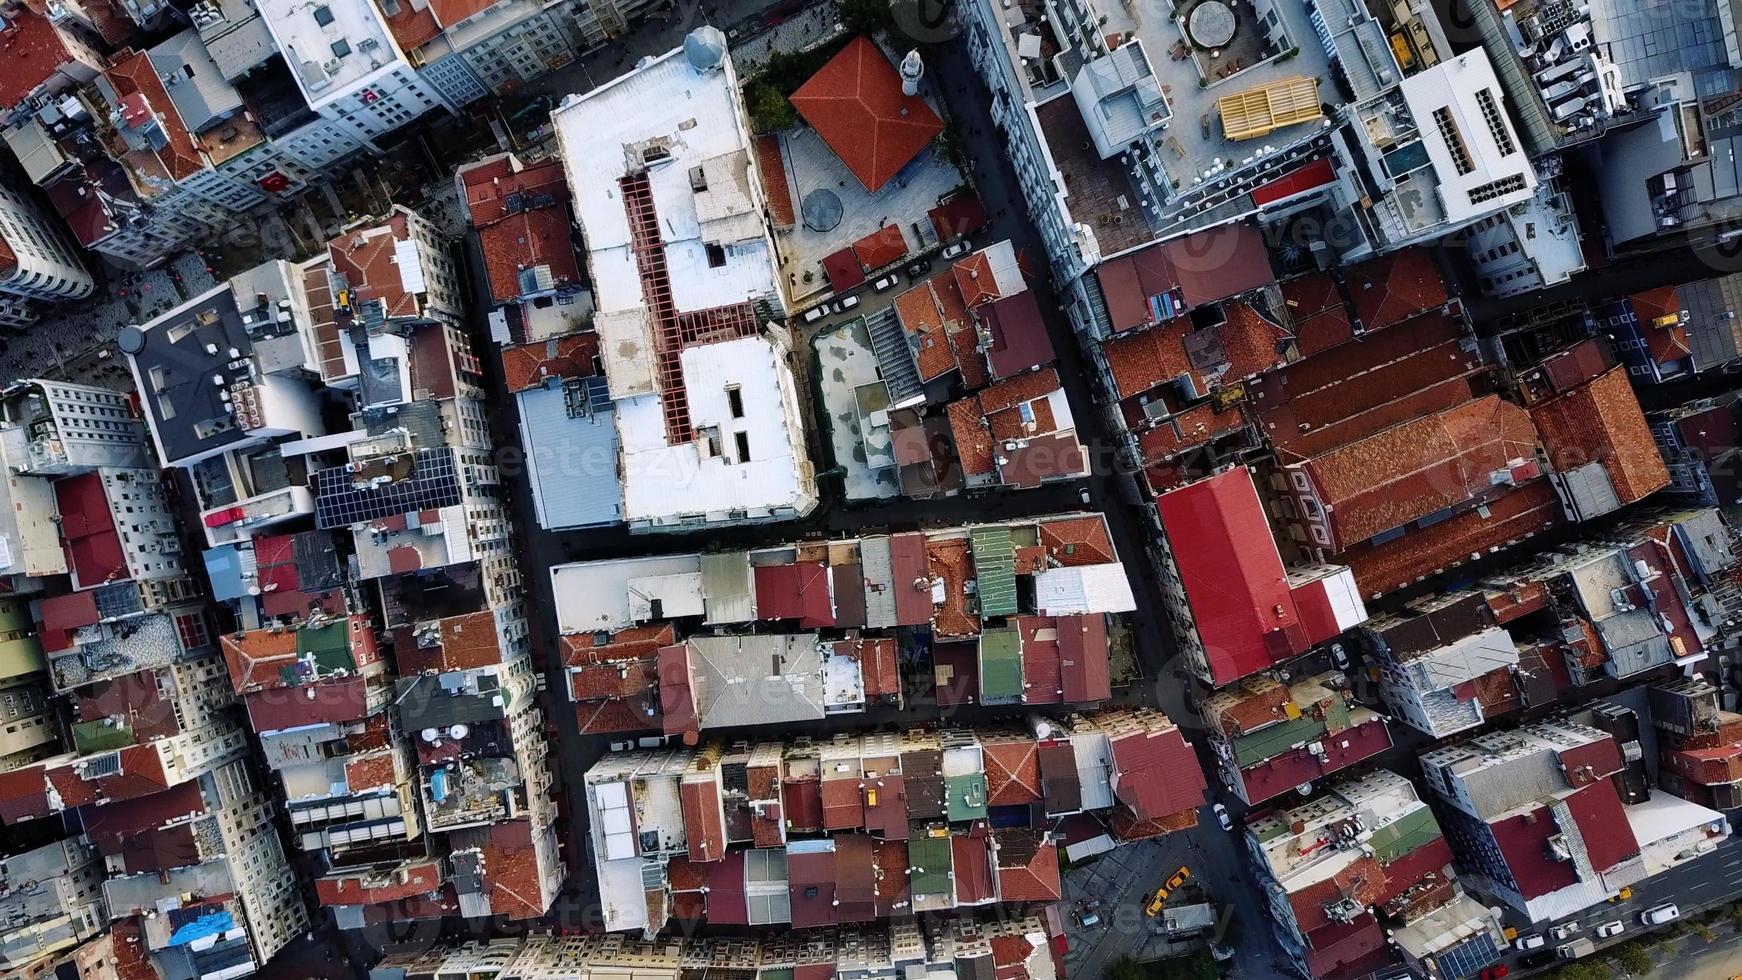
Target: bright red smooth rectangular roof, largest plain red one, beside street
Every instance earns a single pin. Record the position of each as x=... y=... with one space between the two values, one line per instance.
x=1220 y=540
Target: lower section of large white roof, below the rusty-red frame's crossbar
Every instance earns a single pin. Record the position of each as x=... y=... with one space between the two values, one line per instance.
x=665 y=481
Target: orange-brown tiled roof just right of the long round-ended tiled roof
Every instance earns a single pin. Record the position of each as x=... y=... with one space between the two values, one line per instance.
x=1602 y=422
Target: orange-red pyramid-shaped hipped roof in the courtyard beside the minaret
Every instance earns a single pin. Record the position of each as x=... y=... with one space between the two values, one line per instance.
x=858 y=107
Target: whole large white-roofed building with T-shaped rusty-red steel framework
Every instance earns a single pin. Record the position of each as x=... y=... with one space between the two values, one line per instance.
x=708 y=431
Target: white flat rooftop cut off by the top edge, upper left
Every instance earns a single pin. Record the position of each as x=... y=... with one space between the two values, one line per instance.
x=307 y=44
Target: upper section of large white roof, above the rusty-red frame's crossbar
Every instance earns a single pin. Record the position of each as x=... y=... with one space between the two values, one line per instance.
x=696 y=121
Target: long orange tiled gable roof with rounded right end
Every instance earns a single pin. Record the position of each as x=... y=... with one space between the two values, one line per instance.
x=1421 y=467
